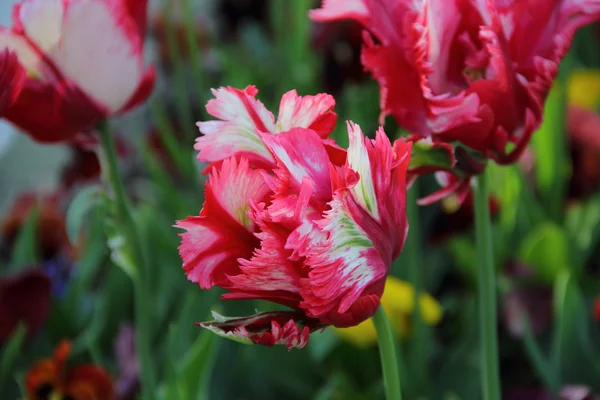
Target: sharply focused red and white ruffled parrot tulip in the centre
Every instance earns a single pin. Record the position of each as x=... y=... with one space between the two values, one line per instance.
x=291 y=218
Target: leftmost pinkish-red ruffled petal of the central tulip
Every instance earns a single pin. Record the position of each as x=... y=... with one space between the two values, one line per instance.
x=223 y=232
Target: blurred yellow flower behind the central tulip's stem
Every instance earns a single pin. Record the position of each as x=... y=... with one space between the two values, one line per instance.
x=398 y=302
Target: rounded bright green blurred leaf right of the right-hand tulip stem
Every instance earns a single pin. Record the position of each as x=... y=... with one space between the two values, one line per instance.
x=547 y=250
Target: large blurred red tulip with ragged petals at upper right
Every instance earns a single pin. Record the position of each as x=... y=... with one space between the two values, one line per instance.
x=473 y=72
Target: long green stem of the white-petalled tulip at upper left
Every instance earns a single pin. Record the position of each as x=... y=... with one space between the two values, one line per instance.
x=128 y=228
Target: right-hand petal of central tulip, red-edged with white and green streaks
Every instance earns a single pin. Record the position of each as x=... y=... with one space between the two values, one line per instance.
x=366 y=227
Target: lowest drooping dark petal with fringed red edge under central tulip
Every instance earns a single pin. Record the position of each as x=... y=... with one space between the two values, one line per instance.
x=291 y=329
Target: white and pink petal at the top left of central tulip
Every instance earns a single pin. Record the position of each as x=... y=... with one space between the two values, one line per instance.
x=240 y=117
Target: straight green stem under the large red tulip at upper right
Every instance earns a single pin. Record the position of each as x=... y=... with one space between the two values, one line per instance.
x=487 y=292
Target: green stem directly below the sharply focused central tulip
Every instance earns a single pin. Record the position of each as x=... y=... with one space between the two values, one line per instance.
x=387 y=352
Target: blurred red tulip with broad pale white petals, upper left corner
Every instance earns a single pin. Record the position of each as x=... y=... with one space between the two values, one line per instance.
x=83 y=61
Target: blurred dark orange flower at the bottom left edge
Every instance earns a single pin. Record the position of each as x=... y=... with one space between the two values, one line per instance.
x=48 y=379
